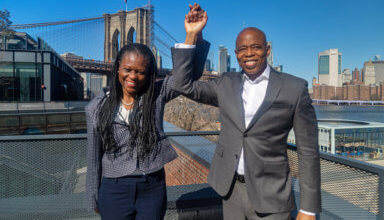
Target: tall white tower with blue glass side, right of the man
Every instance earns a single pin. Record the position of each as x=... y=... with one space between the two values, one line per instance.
x=330 y=67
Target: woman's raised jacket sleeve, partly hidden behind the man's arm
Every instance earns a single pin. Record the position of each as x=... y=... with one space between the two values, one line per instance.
x=199 y=56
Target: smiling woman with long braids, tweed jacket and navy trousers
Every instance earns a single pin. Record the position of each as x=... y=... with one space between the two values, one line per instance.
x=127 y=147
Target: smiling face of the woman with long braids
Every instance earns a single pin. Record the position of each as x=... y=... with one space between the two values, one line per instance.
x=132 y=73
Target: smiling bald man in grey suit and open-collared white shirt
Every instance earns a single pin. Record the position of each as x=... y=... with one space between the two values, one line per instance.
x=258 y=107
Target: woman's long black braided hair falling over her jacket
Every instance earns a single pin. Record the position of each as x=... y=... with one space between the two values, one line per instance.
x=142 y=129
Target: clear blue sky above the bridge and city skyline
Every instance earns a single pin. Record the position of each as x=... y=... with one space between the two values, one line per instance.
x=299 y=30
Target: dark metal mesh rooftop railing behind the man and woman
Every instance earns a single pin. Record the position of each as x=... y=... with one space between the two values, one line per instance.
x=43 y=177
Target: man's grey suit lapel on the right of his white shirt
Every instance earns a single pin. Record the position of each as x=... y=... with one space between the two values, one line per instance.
x=273 y=89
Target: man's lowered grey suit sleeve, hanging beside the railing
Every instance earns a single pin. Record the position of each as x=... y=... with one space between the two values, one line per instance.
x=306 y=135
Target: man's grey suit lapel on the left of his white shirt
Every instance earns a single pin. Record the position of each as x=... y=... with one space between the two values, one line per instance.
x=237 y=102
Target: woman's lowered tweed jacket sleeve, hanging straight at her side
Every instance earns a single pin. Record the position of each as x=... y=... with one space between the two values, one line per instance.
x=93 y=160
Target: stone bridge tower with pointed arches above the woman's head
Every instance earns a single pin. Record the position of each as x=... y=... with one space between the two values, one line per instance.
x=126 y=27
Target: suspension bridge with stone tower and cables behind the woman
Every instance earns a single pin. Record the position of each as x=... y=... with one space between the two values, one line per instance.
x=94 y=42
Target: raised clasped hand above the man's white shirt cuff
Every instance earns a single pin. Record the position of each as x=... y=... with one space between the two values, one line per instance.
x=194 y=23
